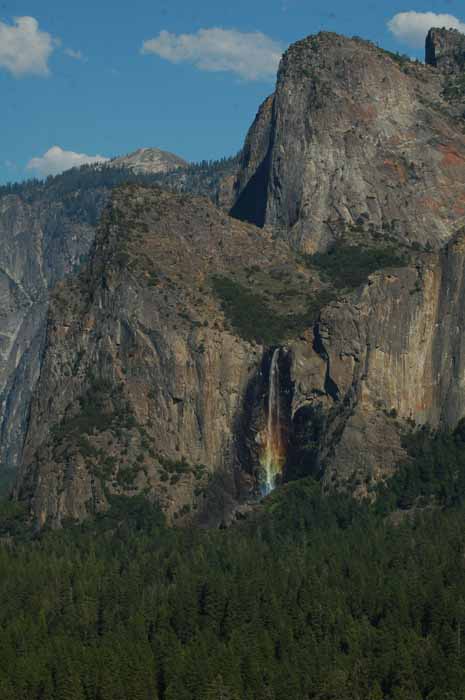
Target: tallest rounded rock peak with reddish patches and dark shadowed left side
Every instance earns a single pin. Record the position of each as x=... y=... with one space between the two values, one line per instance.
x=353 y=132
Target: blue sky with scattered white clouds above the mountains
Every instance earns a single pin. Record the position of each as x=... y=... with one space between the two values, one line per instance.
x=79 y=80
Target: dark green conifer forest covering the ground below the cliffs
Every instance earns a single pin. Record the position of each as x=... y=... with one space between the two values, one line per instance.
x=312 y=597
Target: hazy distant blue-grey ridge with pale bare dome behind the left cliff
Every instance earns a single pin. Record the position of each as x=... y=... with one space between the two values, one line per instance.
x=46 y=231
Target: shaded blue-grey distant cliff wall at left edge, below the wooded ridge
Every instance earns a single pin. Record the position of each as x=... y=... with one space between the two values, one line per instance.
x=41 y=241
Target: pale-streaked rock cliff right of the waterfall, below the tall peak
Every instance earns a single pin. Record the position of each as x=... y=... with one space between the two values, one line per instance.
x=387 y=357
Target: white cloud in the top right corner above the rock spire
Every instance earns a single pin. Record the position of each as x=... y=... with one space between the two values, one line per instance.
x=412 y=27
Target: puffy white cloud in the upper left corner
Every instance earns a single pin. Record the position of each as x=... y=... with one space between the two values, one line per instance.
x=24 y=48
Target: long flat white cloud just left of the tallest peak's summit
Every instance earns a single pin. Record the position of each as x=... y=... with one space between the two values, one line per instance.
x=251 y=55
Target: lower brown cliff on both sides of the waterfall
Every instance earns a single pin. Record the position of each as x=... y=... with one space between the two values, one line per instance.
x=144 y=389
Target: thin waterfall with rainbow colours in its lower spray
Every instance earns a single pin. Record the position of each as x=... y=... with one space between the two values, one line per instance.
x=274 y=454
